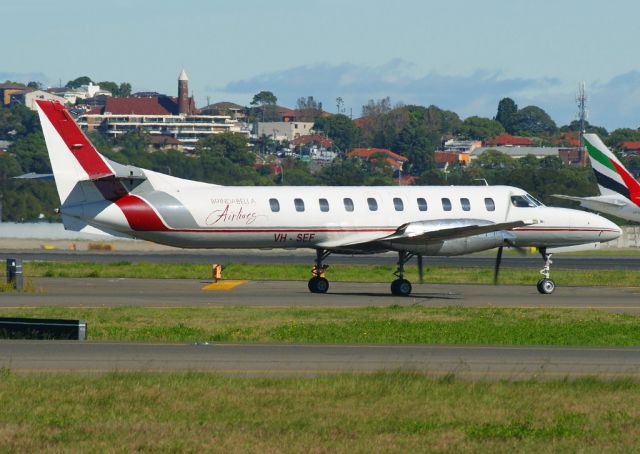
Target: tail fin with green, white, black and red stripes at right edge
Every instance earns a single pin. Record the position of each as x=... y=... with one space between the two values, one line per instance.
x=612 y=176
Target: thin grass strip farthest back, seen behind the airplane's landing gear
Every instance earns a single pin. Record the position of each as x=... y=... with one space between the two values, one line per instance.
x=353 y=273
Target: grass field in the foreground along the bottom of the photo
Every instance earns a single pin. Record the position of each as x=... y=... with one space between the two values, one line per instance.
x=392 y=412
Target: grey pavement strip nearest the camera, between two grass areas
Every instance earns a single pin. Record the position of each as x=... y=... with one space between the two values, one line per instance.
x=464 y=361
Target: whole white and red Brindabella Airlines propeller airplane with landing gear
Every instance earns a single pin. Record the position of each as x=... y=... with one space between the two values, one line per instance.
x=97 y=193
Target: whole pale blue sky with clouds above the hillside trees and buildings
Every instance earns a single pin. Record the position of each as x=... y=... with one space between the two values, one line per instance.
x=459 y=55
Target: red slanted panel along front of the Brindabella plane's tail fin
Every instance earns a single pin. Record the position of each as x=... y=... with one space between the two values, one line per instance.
x=78 y=144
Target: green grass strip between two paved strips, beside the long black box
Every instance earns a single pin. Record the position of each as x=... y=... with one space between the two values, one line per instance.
x=394 y=324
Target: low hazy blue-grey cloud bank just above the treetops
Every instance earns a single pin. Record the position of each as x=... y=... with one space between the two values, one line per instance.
x=613 y=104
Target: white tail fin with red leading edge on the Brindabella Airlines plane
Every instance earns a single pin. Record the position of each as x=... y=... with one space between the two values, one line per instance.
x=73 y=157
